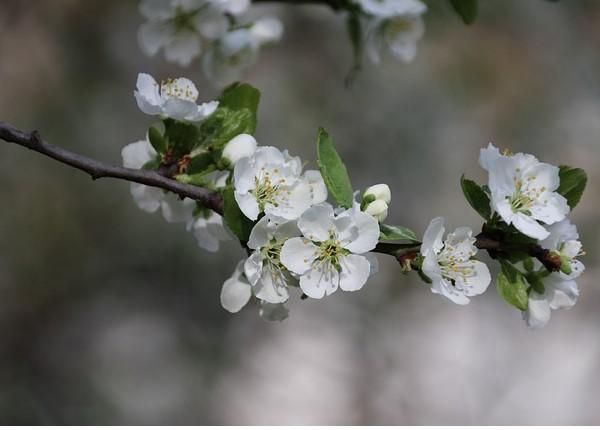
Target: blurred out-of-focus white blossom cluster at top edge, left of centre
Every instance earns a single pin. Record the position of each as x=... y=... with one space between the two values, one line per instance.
x=187 y=29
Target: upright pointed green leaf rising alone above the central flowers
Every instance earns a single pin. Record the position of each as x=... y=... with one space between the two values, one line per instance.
x=333 y=170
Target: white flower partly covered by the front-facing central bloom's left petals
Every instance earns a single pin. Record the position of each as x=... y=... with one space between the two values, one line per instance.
x=263 y=269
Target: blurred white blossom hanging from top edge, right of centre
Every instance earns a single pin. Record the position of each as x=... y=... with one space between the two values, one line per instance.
x=394 y=25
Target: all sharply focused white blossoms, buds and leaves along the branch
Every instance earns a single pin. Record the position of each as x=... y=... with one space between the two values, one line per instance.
x=296 y=241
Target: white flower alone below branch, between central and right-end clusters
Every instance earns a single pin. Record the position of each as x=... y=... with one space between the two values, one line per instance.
x=450 y=265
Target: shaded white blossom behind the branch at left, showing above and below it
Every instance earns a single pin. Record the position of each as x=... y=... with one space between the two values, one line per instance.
x=150 y=199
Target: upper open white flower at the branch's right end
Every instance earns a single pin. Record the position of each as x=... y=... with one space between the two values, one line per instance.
x=523 y=191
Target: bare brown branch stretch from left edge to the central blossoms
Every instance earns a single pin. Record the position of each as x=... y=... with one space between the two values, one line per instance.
x=97 y=169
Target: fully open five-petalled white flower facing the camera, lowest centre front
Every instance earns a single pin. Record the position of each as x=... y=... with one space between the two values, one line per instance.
x=329 y=254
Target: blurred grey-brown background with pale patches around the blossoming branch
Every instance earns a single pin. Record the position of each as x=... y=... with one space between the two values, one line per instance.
x=109 y=315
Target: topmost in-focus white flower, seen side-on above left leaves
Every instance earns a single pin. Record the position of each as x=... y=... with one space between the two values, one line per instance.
x=173 y=98
